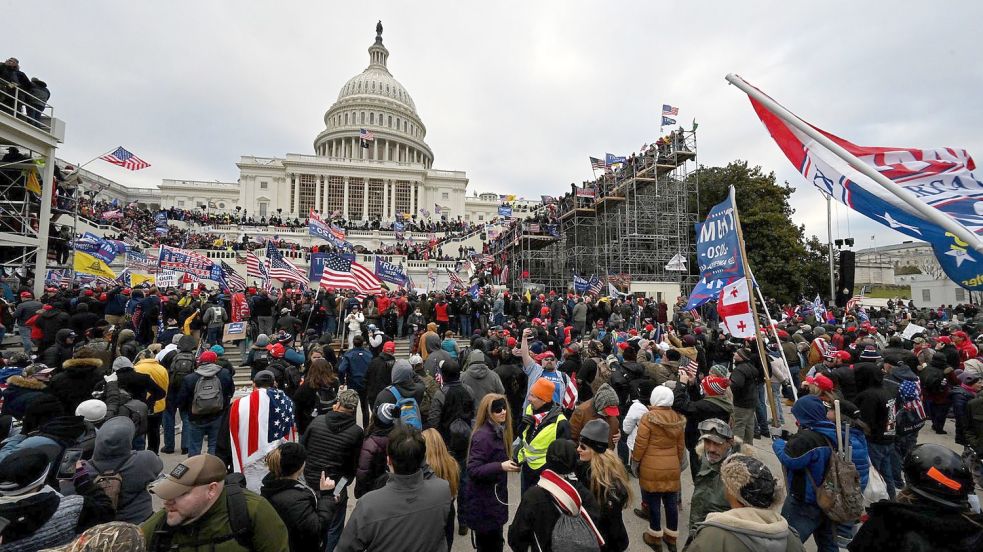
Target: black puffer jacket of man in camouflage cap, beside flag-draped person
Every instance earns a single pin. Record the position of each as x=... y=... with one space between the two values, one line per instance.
x=333 y=442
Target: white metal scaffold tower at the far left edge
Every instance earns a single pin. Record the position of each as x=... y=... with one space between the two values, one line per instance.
x=29 y=136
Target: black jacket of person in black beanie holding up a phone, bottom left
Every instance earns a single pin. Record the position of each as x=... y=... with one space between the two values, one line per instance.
x=306 y=513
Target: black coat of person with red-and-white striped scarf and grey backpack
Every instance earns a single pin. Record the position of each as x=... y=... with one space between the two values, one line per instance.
x=537 y=515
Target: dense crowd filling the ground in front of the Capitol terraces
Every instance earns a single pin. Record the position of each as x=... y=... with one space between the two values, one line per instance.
x=575 y=395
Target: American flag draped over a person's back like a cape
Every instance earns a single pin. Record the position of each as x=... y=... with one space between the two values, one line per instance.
x=258 y=423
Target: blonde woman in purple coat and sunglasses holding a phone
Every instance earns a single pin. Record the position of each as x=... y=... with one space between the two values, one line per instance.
x=485 y=499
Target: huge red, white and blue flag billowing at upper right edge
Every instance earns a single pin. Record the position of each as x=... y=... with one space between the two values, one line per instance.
x=935 y=179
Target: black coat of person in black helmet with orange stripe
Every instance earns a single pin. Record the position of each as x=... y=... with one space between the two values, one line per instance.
x=917 y=527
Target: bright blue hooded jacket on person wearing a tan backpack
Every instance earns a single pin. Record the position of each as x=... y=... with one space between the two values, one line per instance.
x=809 y=449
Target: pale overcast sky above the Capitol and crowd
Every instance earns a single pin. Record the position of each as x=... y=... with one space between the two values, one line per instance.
x=518 y=94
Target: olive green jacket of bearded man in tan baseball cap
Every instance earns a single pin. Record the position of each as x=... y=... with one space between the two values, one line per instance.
x=269 y=532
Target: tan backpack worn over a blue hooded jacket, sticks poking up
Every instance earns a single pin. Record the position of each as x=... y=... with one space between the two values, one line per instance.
x=840 y=496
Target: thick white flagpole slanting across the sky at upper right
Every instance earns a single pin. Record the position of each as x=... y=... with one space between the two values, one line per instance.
x=929 y=212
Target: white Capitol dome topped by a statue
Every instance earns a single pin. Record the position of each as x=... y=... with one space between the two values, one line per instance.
x=374 y=101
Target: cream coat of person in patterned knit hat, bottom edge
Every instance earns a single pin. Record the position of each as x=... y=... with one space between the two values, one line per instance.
x=746 y=530
